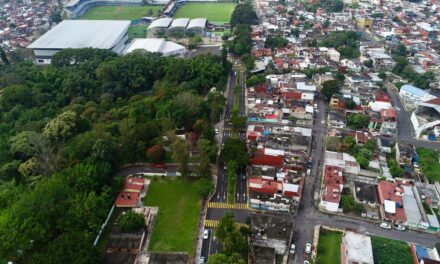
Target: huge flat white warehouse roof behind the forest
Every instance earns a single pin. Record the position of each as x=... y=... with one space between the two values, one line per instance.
x=102 y=34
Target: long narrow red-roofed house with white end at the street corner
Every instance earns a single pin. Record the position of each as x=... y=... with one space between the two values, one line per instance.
x=333 y=182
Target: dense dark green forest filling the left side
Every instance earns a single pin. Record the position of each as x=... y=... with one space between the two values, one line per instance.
x=65 y=128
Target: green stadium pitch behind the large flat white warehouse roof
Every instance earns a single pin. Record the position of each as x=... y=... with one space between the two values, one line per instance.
x=120 y=12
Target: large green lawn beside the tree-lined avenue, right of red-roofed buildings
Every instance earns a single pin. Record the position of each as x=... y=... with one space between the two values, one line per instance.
x=179 y=210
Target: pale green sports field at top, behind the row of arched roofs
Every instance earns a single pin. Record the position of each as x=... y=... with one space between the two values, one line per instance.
x=214 y=12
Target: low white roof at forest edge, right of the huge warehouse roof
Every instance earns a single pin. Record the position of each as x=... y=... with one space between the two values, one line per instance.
x=167 y=48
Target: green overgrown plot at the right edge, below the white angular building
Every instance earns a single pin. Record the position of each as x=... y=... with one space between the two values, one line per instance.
x=428 y=159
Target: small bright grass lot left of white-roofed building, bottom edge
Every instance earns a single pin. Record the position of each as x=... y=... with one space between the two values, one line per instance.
x=329 y=247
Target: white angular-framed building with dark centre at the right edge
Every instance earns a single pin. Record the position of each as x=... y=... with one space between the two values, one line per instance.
x=426 y=118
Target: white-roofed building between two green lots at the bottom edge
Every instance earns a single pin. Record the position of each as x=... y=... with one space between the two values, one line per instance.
x=356 y=248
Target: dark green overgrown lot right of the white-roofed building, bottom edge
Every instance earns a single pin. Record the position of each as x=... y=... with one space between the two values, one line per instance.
x=388 y=251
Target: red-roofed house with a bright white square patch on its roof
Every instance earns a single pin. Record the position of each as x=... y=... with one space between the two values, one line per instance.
x=391 y=201
